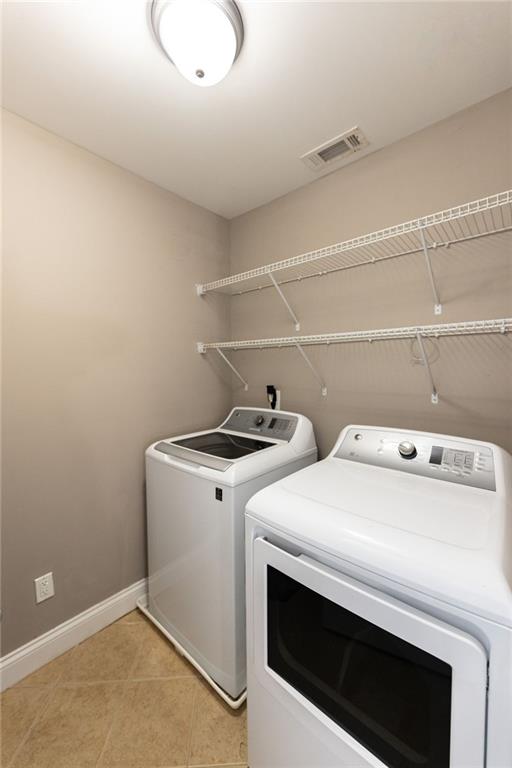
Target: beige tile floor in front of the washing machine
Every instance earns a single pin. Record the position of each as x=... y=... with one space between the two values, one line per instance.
x=121 y=699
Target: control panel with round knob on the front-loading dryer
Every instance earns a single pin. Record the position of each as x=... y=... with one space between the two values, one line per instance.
x=454 y=461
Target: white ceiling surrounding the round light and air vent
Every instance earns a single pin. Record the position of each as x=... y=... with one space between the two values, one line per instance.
x=89 y=71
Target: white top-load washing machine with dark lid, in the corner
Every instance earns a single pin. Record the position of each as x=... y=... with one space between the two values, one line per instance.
x=197 y=488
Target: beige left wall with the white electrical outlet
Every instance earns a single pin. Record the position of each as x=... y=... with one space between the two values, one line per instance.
x=100 y=321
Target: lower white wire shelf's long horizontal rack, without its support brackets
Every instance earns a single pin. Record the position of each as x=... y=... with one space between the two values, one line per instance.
x=436 y=330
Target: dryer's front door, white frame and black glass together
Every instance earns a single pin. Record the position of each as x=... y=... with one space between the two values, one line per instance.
x=397 y=686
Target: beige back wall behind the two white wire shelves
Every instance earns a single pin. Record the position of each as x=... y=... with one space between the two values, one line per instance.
x=463 y=158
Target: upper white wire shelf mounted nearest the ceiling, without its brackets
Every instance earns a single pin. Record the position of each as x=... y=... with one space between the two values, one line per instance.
x=480 y=218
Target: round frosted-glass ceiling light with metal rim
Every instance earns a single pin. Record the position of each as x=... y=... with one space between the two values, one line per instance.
x=202 y=38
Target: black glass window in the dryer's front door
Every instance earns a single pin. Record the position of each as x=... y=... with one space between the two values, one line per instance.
x=394 y=698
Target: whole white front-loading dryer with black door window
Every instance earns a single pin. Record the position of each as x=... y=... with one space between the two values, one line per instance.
x=379 y=599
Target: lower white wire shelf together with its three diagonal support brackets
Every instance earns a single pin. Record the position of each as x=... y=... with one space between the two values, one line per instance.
x=418 y=332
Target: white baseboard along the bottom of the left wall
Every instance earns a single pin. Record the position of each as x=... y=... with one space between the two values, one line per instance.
x=26 y=659
